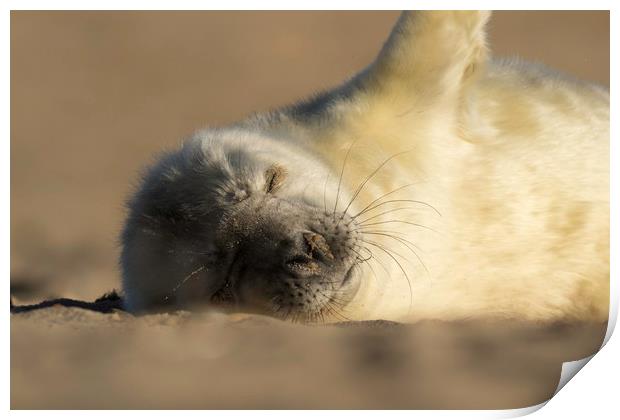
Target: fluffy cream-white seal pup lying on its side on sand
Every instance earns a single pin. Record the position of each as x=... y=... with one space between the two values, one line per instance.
x=436 y=183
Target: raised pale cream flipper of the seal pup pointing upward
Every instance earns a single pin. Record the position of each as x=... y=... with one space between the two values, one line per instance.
x=431 y=54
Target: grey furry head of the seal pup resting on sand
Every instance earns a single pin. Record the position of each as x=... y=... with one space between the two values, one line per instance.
x=237 y=220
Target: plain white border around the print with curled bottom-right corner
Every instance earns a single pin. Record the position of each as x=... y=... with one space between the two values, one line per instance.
x=593 y=394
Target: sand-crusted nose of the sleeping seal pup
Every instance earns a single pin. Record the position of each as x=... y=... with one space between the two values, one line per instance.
x=311 y=260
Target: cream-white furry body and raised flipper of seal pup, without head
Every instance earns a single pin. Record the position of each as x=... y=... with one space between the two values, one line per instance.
x=514 y=157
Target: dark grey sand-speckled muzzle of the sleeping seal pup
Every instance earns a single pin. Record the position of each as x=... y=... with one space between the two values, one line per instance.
x=284 y=257
